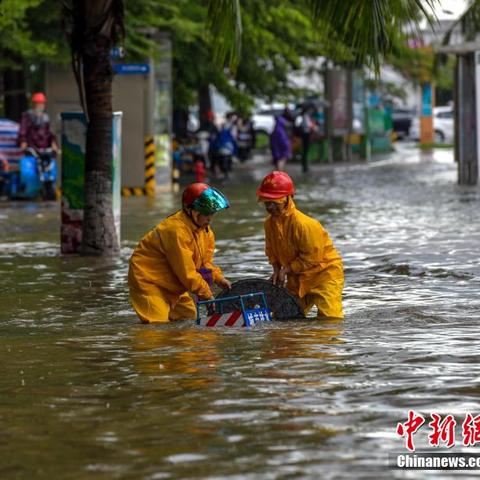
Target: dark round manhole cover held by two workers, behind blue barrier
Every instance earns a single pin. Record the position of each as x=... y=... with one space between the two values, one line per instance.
x=283 y=305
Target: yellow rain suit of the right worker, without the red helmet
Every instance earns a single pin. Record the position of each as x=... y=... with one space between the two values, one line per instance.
x=299 y=241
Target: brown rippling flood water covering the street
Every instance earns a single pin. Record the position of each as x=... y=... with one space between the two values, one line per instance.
x=86 y=392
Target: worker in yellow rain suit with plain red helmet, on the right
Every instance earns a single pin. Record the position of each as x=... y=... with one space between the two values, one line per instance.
x=300 y=250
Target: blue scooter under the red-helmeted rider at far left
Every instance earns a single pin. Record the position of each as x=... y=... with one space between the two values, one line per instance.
x=36 y=175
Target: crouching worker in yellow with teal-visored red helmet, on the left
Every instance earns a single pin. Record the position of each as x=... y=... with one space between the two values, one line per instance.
x=175 y=259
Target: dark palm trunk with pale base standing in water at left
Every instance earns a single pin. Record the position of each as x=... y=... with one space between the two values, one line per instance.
x=93 y=28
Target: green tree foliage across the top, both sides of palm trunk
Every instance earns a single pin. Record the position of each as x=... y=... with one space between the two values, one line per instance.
x=276 y=35
